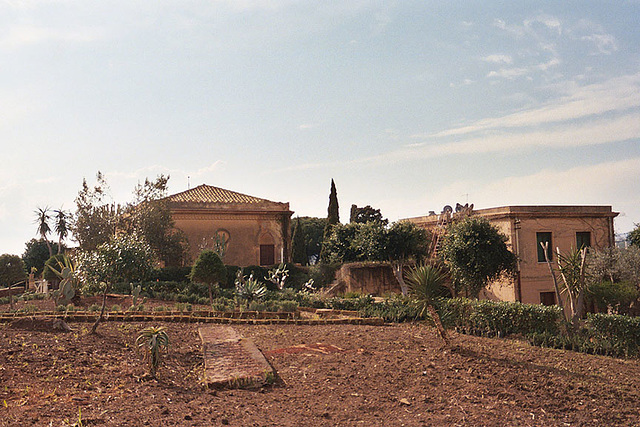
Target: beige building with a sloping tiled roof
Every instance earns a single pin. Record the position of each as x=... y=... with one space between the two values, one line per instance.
x=253 y=231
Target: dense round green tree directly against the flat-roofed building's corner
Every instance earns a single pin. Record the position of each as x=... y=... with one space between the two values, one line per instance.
x=476 y=253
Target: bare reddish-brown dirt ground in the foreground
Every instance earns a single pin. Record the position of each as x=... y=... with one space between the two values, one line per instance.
x=367 y=376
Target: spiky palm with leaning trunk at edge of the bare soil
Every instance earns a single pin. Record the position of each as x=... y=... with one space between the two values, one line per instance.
x=426 y=282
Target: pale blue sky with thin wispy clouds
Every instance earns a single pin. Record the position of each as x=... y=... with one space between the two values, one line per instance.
x=407 y=105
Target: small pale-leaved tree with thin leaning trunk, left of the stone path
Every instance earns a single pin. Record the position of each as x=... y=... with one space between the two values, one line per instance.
x=125 y=259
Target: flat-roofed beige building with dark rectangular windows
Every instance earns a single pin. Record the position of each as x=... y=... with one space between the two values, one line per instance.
x=564 y=227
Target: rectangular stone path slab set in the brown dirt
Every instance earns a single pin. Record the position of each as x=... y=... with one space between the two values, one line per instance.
x=231 y=360
